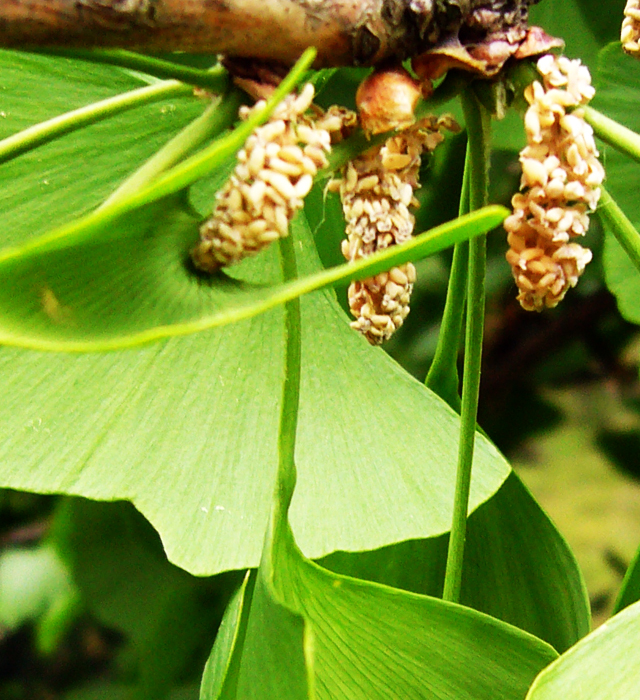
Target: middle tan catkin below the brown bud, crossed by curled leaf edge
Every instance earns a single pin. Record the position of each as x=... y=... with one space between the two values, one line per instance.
x=377 y=190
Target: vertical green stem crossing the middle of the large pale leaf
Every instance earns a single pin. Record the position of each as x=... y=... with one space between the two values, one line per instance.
x=291 y=390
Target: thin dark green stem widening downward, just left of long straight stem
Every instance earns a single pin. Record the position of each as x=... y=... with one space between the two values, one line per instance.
x=442 y=377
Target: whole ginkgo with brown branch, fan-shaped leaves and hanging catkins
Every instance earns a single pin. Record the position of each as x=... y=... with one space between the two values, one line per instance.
x=389 y=549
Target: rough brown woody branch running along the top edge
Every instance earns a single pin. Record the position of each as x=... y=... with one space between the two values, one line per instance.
x=345 y=32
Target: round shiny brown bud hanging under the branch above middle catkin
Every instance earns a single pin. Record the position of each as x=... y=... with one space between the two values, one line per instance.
x=387 y=100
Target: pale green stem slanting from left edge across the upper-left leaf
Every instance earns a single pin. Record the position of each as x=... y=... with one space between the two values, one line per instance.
x=51 y=129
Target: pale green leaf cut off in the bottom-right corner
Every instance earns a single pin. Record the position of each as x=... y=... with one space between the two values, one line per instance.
x=606 y=664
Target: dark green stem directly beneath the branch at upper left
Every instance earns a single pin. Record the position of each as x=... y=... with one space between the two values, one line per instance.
x=214 y=79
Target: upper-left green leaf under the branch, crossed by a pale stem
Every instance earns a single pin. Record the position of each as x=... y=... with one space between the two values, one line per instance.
x=70 y=176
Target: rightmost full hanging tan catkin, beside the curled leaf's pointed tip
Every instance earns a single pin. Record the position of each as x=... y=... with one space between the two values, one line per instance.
x=560 y=185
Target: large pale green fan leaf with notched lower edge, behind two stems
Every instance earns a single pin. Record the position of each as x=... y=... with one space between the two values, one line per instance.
x=166 y=427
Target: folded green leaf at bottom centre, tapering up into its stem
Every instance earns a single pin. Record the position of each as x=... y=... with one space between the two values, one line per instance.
x=315 y=634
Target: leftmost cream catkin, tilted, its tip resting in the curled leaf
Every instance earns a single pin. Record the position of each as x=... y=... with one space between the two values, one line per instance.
x=274 y=173
